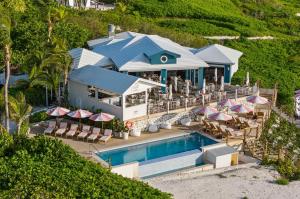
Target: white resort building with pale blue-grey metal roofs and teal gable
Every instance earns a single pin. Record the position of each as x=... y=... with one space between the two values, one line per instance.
x=132 y=74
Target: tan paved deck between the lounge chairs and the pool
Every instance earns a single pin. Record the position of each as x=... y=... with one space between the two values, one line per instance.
x=86 y=149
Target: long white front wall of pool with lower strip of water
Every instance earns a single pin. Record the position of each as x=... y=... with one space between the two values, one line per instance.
x=170 y=163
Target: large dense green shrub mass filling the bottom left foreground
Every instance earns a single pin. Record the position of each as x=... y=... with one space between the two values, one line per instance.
x=41 y=167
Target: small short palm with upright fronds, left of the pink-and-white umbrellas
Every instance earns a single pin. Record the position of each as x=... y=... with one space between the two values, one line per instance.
x=19 y=109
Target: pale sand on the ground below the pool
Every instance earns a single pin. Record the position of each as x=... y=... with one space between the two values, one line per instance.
x=249 y=181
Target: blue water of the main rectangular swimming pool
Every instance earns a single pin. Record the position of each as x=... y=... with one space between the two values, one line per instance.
x=157 y=149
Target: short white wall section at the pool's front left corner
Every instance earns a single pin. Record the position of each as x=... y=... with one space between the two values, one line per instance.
x=130 y=170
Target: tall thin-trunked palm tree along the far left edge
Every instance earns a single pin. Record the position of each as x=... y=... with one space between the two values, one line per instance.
x=7 y=8
